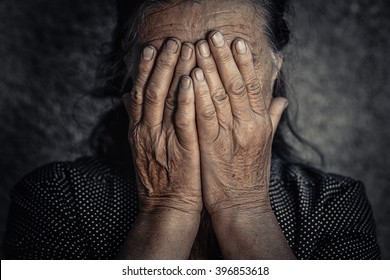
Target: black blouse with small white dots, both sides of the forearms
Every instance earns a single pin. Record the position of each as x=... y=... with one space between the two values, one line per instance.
x=85 y=209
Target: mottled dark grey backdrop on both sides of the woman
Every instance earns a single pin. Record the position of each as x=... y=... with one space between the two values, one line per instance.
x=338 y=72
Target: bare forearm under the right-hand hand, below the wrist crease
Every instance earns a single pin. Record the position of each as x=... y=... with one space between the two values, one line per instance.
x=250 y=234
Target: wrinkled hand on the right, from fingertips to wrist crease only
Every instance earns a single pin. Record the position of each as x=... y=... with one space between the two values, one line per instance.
x=235 y=127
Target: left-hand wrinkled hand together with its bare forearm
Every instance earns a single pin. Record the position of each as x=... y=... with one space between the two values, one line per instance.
x=164 y=141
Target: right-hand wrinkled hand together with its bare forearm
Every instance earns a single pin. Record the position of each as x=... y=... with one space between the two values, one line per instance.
x=236 y=131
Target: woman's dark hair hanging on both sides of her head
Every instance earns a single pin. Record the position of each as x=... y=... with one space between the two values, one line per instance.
x=109 y=138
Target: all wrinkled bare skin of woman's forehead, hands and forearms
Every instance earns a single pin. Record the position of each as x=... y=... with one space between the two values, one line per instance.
x=202 y=121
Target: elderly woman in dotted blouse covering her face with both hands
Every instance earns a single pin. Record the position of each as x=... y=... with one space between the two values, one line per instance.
x=211 y=175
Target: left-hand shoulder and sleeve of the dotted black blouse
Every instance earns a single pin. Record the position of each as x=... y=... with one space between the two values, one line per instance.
x=84 y=207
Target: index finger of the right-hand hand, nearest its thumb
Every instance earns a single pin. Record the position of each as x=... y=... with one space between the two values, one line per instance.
x=244 y=60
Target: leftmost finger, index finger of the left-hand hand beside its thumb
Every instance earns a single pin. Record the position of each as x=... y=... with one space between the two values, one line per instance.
x=133 y=100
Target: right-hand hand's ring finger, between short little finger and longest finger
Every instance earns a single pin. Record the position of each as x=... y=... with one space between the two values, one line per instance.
x=218 y=93
